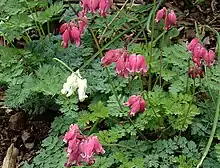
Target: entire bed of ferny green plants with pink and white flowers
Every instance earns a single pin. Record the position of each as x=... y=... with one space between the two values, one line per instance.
x=127 y=96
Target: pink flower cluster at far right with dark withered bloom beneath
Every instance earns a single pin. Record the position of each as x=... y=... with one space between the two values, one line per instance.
x=200 y=56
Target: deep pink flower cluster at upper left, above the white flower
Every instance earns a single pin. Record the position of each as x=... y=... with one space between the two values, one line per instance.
x=73 y=31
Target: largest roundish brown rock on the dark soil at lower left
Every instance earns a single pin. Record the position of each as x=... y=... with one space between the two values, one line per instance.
x=16 y=122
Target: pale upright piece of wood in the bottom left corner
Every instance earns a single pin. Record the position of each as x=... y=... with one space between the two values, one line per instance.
x=11 y=157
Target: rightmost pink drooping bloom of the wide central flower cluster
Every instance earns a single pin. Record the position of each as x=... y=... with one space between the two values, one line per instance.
x=137 y=64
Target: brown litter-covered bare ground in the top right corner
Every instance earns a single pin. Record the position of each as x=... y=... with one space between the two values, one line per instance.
x=206 y=13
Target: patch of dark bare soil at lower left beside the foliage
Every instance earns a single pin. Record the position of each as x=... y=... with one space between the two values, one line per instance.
x=25 y=133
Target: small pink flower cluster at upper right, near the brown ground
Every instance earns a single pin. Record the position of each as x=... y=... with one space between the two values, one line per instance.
x=169 y=17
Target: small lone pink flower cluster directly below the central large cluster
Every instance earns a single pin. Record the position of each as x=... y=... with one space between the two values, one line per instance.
x=136 y=103
